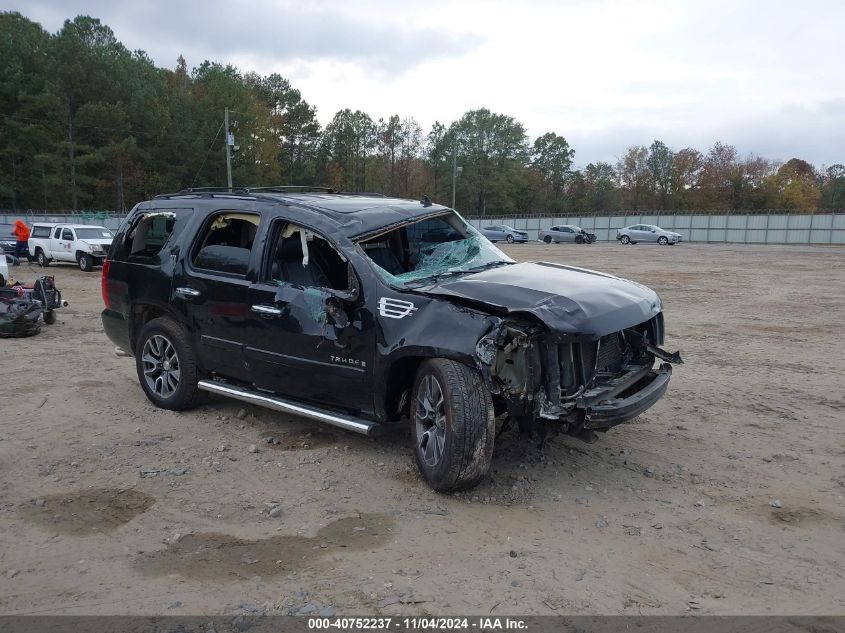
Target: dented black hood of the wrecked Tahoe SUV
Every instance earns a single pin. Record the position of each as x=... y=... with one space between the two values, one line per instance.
x=567 y=299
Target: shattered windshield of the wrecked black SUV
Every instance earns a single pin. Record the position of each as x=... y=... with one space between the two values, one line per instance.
x=422 y=251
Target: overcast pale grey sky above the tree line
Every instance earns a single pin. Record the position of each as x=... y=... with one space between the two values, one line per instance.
x=766 y=76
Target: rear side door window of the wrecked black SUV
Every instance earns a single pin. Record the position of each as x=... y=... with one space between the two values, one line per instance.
x=226 y=244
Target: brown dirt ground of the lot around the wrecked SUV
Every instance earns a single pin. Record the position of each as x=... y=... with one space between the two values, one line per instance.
x=724 y=498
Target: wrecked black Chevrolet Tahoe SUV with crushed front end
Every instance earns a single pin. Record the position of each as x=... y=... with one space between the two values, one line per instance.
x=360 y=310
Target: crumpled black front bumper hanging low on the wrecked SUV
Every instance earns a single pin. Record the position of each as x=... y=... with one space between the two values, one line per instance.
x=607 y=410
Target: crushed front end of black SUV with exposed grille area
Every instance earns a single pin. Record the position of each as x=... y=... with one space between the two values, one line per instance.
x=579 y=383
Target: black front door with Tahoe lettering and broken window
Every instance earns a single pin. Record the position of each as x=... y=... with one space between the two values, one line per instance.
x=303 y=340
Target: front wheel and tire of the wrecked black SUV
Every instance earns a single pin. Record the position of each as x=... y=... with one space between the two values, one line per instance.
x=452 y=425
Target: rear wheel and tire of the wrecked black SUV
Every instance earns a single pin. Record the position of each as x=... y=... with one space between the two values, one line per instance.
x=166 y=366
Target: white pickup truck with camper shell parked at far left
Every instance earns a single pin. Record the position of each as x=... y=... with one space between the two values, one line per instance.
x=81 y=243
